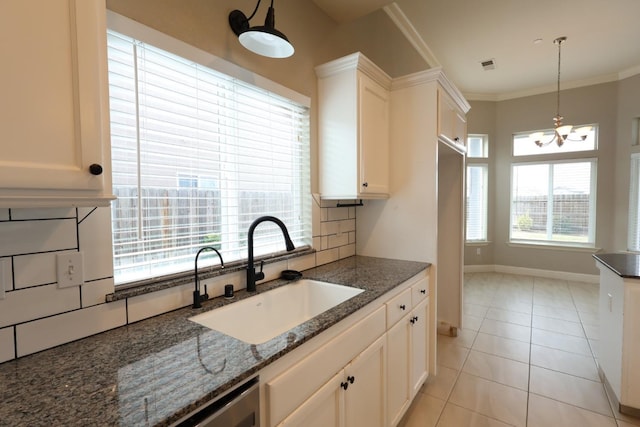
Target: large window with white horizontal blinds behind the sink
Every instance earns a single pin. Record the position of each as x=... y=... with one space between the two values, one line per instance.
x=197 y=156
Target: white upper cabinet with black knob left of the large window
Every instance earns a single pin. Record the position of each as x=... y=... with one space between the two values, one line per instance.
x=54 y=113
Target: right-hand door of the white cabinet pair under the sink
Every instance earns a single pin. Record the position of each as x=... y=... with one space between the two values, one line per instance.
x=365 y=397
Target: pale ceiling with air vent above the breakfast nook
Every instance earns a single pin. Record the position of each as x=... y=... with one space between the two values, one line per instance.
x=603 y=40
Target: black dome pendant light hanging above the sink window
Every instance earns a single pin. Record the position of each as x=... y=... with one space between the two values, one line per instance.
x=264 y=40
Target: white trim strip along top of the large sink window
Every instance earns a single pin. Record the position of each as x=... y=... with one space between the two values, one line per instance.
x=160 y=40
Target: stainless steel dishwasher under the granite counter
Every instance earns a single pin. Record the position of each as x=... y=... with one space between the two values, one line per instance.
x=238 y=408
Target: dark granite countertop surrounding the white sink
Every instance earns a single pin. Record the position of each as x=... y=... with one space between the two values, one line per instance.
x=155 y=371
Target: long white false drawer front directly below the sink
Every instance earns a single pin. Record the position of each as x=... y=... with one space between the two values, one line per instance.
x=287 y=391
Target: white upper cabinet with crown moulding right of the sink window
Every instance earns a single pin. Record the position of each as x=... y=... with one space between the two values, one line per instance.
x=353 y=116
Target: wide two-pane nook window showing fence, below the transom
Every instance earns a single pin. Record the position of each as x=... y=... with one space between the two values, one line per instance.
x=554 y=202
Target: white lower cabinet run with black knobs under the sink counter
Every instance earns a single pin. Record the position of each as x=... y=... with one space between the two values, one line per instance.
x=364 y=375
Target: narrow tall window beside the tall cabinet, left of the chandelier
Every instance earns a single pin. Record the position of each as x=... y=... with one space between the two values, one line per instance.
x=477 y=188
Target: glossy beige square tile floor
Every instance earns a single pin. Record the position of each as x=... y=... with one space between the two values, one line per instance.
x=524 y=358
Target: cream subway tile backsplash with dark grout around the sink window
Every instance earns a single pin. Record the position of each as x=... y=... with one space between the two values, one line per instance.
x=35 y=314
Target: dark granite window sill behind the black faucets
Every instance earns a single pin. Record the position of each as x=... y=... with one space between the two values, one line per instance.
x=160 y=283
